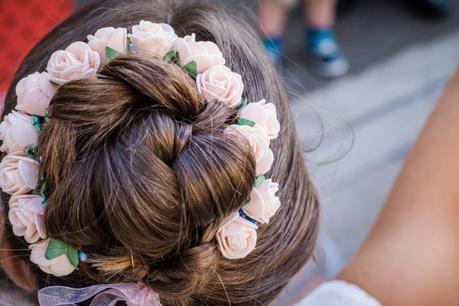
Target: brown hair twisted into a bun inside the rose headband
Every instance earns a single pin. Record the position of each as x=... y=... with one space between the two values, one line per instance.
x=140 y=172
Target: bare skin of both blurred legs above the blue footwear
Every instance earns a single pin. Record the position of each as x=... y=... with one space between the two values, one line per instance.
x=272 y=15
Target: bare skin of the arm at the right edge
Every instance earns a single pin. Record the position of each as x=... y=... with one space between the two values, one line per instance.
x=411 y=256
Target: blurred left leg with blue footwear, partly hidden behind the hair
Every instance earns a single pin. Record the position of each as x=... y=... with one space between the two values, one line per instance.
x=272 y=16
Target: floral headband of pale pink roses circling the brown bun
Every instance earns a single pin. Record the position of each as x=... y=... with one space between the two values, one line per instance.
x=202 y=60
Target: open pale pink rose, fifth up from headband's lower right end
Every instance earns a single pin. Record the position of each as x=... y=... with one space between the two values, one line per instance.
x=219 y=83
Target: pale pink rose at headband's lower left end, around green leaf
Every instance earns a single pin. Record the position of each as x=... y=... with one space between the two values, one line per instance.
x=59 y=266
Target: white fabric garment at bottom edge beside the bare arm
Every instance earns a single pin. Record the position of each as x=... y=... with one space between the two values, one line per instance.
x=338 y=293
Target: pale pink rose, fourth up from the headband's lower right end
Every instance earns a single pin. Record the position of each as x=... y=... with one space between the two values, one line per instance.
x=264 y=115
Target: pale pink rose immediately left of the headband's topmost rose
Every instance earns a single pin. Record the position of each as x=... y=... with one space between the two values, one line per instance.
x=115 y=39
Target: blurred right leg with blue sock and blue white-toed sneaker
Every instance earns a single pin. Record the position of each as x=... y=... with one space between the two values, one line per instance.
x=325 y=57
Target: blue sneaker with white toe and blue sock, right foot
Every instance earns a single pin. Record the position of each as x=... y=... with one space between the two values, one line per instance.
x=324 y=56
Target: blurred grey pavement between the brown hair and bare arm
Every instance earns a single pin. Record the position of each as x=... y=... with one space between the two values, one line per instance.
x=357 y=130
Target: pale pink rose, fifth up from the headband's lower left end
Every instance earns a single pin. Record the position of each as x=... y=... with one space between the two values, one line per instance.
x=34 y=94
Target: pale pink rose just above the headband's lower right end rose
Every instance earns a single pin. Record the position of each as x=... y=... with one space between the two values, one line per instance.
x=263 y=202
